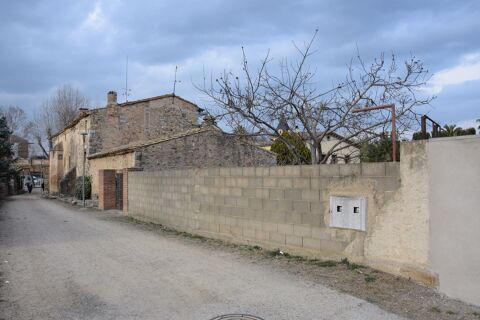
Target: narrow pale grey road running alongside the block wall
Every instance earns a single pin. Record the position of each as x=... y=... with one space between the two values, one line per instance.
x=59 y=262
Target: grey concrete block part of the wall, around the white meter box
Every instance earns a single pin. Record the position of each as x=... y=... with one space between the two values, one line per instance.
x=282 y=207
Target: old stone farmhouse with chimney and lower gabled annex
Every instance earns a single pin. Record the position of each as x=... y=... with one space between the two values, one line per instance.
x=156 y=133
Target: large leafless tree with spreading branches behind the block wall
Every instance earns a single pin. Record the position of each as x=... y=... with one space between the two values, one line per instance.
x=257 y=99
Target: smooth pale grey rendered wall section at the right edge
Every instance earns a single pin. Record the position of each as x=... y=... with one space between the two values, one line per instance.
x=454 y=198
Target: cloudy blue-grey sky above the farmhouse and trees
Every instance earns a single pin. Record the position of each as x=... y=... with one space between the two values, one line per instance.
x=85 y=44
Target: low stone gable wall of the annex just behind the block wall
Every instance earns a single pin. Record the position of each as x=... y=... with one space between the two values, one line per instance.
x=210 y=148
